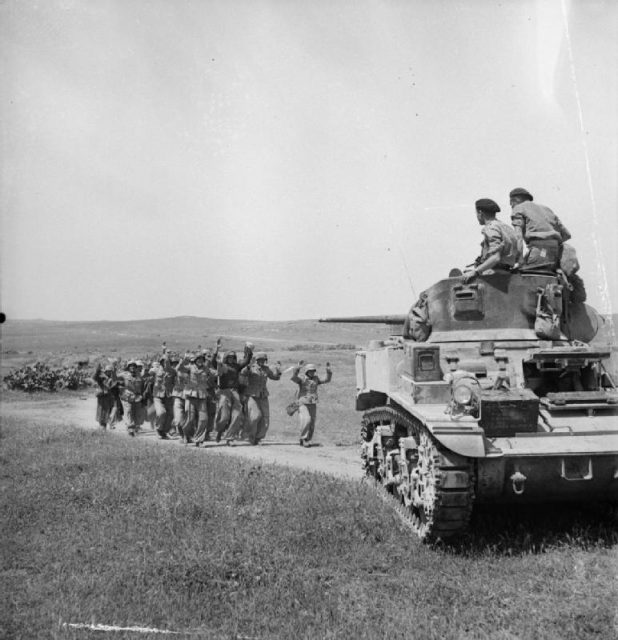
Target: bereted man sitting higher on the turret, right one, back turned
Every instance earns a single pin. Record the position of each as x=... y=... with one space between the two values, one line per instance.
x=541 y=229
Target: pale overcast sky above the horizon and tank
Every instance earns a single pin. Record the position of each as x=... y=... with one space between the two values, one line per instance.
x=285 y=159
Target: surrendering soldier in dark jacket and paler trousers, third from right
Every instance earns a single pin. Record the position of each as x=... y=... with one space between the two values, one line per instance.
x=229 y=408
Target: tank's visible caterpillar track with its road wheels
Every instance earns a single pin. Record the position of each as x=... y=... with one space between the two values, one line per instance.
x=433 y=488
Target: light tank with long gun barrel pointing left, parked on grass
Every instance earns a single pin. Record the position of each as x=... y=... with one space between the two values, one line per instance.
x=492 y=394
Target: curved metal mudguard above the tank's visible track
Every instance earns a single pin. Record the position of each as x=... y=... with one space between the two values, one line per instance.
x=462 y=436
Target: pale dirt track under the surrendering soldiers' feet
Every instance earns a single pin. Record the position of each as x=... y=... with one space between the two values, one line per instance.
x=342 y=461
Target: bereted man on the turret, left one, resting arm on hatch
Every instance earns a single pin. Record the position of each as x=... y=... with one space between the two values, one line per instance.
x=501 y=246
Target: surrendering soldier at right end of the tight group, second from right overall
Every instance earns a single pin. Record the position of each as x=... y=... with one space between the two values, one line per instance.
x=255 y=377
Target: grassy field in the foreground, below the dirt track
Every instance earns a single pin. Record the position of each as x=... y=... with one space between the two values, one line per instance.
x=99 y=528
